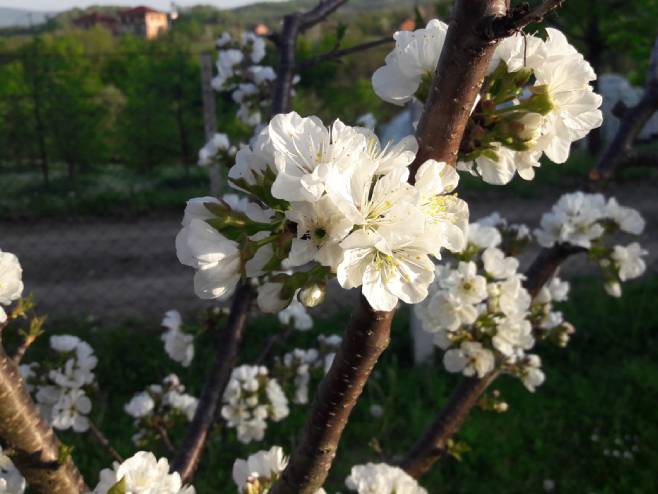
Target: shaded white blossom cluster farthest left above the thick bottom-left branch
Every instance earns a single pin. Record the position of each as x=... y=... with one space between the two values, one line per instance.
x=61 y=392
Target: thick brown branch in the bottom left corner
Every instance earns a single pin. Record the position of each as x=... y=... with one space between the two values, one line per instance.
x=34 y=448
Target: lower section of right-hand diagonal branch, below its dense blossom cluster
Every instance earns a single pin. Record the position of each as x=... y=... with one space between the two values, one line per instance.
x=432 y=444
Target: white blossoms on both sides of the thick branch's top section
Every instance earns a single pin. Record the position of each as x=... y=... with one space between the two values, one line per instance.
x=536 y=98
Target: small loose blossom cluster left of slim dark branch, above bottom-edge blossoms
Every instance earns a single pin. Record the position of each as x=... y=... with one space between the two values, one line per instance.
x=158 y=408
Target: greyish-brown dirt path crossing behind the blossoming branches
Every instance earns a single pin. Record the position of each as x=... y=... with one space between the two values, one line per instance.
x=128 y=268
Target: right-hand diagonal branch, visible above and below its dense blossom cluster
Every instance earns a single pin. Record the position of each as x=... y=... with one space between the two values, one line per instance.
x=432 y=444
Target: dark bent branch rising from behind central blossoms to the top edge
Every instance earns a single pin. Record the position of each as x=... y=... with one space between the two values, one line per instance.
x=294 y=24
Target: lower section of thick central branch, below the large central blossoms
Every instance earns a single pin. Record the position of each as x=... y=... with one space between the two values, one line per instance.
x=366 y=338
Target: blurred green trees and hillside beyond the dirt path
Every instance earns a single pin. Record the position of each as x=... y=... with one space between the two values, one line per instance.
x=74 y=103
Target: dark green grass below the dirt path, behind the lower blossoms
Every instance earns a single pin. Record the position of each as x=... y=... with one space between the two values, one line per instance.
x=603 y=386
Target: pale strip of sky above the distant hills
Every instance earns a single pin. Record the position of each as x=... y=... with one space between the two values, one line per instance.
x=54 y=5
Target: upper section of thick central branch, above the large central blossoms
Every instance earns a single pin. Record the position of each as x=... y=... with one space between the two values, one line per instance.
x=459 y=74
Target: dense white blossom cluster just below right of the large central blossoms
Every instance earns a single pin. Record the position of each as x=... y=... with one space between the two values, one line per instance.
x=483 y=317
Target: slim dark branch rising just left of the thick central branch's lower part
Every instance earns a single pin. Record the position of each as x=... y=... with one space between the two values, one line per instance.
x=228 y=343
